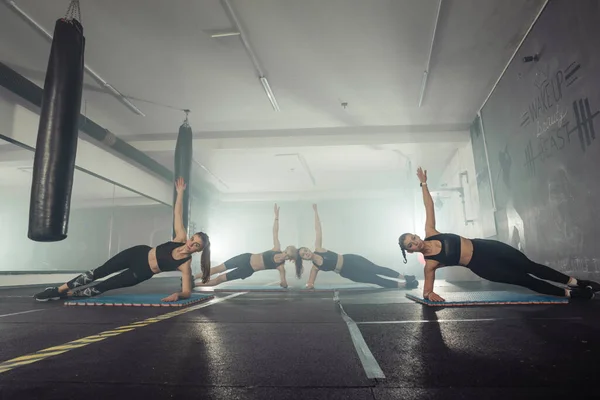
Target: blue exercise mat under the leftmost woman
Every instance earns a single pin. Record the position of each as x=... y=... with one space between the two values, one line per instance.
x=138 y=300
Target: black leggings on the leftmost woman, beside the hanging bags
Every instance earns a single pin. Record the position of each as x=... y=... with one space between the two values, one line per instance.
x=134 y=262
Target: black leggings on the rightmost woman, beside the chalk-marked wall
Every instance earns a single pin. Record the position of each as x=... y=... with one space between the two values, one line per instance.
x=499 y=262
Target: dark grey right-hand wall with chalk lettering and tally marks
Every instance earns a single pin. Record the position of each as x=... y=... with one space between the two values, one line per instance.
x=540 y=126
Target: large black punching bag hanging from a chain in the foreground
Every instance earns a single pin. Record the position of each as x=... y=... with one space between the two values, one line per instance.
x=56 y=146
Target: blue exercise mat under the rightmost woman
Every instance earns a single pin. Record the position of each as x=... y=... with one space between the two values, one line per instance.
x=457 y=299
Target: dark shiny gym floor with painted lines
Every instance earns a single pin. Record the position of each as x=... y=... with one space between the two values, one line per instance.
x=299 y=345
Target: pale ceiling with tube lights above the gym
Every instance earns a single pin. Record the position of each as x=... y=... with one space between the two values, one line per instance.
x=316 y=54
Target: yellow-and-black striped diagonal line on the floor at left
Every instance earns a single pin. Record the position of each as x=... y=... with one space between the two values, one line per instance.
x=40 y=355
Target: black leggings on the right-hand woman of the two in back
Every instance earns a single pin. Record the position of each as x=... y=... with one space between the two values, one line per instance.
x=359 y=269
